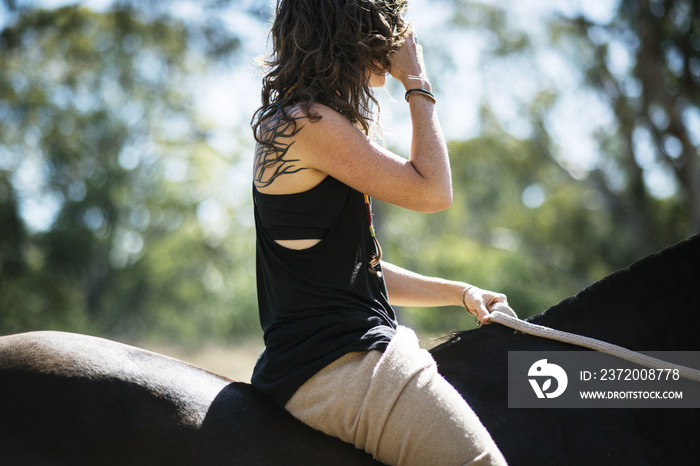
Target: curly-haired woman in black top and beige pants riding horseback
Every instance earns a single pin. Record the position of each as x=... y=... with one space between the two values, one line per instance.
x=334 y=356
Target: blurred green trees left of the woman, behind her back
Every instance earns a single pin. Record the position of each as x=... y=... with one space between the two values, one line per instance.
x=98 y=140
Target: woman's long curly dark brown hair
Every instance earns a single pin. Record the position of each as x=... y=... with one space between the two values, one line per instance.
x=324 y=51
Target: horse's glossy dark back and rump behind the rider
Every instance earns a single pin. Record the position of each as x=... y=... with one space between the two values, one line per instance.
x=78 y=400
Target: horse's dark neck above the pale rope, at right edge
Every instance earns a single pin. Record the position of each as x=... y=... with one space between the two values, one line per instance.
x=652 y=305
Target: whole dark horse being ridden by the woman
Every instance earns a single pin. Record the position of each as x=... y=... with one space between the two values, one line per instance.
x=69 y=399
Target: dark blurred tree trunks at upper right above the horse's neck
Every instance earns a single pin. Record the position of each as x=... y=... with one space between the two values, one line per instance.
x=645 y=62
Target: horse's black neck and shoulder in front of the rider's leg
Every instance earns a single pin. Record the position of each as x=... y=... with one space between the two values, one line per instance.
x=654 y=305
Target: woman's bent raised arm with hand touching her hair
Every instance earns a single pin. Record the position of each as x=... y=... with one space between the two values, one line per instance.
x=333 y=145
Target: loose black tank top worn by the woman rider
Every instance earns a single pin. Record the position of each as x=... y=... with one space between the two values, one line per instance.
x=320 y=303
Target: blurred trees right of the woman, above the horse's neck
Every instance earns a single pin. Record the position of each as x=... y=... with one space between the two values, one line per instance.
x=525 y=219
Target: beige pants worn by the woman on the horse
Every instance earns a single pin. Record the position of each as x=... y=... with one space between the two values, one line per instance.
x=397 y=407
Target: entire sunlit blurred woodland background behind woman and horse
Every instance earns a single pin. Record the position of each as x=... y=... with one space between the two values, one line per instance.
x=125 y=158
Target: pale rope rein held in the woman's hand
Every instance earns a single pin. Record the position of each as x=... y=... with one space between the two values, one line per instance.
x=504 y=315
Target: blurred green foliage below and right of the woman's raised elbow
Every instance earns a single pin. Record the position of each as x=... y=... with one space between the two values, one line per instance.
x=537 y=254
